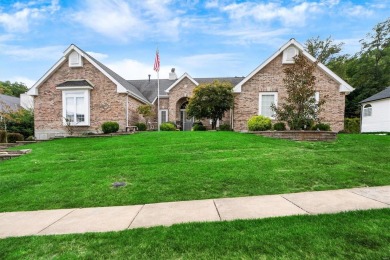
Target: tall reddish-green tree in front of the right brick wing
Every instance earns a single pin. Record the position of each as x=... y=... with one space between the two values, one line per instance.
x=300 y=107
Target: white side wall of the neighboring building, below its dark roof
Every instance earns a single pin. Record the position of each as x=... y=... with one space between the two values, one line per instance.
x=379 y=121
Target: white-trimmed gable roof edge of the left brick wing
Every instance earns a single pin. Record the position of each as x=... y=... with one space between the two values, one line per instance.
x=122 y=85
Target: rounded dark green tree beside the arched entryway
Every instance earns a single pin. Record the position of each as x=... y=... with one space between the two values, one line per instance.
x=211 y=100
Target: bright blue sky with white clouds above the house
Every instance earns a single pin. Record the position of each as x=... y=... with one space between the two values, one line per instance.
x=210 y=38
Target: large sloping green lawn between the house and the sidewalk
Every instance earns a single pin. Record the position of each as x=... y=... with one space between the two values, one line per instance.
x=171 y=166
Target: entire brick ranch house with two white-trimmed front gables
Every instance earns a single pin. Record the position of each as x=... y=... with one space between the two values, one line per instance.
x=88 y=93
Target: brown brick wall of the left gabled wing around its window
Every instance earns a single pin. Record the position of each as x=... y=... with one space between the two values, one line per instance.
x=105 y=103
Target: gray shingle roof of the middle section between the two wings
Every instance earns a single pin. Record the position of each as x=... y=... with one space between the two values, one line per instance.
x=149 y=88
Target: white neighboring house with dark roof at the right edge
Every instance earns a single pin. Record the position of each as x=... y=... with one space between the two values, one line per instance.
x=375 y=116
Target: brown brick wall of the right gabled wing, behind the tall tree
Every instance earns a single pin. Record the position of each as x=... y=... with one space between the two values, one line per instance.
x=270 y=79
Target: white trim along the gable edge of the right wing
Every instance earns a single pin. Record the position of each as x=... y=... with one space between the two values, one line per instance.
x=344 y=87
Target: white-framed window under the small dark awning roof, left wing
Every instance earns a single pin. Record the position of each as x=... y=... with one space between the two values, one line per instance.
x=75 y=107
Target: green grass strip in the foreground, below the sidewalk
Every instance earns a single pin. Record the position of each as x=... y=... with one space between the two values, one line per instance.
x=352 y=235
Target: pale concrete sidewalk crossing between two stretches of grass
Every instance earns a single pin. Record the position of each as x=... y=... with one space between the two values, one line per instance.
x=82 y=220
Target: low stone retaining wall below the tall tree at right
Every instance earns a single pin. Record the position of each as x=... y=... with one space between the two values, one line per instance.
x=300 y=135
